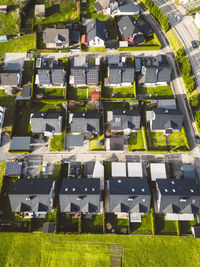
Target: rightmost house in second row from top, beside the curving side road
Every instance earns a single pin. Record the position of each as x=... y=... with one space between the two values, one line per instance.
x=155 y=71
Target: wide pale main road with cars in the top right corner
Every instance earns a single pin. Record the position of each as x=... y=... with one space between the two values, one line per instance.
x=186 y=31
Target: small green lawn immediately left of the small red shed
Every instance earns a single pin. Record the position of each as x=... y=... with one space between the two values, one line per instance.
x=79 y=93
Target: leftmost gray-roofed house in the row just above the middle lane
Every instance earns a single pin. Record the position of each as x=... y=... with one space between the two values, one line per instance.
x=47 y=123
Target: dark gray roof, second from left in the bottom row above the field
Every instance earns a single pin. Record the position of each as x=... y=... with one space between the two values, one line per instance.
x=80 y=195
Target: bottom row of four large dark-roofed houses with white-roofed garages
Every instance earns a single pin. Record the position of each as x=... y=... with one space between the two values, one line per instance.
x=128 y=193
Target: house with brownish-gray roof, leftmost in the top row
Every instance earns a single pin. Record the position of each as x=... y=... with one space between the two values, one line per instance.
x=56 y=38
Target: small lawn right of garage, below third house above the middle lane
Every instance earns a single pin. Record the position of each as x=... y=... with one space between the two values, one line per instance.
x=135 y=141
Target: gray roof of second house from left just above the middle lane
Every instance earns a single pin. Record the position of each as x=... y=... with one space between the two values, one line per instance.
x=85 y=122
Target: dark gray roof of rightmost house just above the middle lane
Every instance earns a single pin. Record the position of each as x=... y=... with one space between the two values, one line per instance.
x=167 y=119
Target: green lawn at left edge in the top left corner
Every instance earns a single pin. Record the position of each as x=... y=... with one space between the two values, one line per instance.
x=10 y=22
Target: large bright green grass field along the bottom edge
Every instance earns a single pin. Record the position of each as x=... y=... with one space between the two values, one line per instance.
x=148 y=251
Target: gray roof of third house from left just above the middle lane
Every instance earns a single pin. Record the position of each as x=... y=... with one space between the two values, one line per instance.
x=125 y=119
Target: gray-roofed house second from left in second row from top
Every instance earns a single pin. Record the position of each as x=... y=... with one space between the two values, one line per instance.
x=51 y=78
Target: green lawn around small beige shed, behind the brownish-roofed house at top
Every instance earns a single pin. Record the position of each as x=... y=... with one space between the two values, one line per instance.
x=59 y=12
